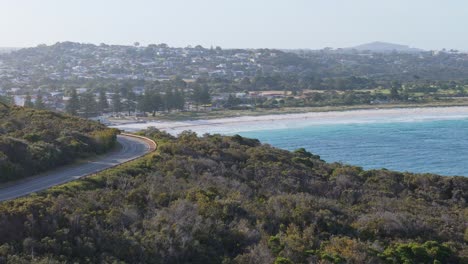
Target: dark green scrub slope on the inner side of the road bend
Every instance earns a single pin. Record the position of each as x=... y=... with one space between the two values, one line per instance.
x=32 y=141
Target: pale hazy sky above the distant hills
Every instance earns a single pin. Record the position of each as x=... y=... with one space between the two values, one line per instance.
x=428 y=24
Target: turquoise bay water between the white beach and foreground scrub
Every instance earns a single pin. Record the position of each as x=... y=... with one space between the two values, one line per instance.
x=439 y=147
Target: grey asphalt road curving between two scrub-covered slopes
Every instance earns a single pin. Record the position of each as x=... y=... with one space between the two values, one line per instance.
x=131 y=148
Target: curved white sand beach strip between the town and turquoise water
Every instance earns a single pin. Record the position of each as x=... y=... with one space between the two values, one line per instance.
x=271 y=122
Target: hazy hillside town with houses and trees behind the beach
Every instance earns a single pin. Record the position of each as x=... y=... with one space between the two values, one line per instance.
x=91 y=80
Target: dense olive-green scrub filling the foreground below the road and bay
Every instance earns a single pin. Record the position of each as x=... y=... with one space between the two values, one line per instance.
x=216 y=199
